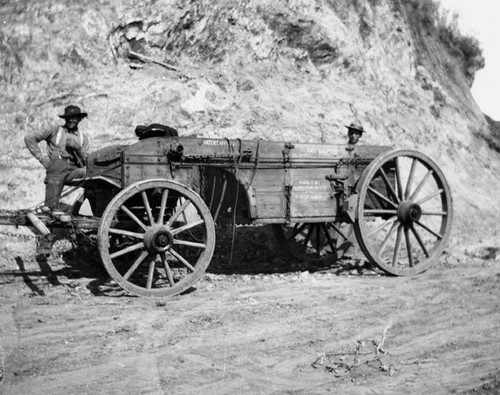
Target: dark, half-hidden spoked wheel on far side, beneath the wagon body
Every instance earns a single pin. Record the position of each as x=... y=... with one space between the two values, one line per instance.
x=317 y=244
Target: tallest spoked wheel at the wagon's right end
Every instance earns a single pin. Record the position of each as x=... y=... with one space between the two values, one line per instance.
x=404 y=212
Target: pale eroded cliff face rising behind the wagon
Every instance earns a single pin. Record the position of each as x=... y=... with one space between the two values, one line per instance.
x=281 y=70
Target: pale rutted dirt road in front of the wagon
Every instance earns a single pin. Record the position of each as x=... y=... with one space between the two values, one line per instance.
x=257 y=326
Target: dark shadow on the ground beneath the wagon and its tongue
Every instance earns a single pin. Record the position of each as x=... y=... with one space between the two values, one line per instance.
x=252 y=250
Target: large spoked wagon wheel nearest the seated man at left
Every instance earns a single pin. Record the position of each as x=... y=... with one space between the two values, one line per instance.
x=156 y=238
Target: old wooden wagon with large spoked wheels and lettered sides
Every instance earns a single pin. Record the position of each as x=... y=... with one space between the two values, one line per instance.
x=153 y=205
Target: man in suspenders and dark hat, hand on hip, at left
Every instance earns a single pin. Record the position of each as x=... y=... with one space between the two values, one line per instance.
x=66 y=156
